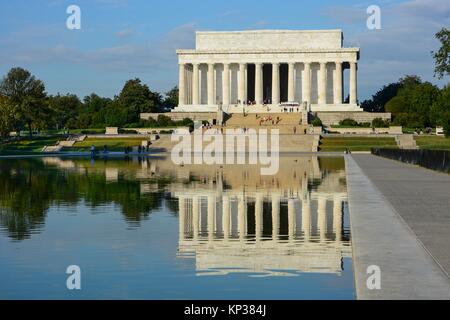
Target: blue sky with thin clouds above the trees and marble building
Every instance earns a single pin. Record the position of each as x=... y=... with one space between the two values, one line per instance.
x=123 y=39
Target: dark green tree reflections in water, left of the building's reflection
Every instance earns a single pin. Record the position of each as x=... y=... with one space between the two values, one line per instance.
x=28 y=188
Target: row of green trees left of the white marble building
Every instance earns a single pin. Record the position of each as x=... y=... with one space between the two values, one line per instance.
x=24 y=105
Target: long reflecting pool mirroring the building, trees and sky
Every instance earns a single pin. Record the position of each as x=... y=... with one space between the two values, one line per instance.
x=144 y=228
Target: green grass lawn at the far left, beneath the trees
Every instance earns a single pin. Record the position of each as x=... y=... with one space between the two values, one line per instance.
x=27 y=145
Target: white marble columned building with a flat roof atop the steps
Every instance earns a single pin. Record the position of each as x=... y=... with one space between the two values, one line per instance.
x=267 y=70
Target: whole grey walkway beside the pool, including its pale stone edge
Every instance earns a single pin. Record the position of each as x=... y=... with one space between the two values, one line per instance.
x=384 y=199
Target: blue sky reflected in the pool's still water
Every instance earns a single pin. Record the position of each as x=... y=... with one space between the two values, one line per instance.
x=119 y=261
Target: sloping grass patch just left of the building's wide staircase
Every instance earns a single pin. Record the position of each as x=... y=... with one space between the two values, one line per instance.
x=113 y=144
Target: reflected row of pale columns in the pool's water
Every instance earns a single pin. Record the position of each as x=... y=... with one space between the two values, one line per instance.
x=242 y=217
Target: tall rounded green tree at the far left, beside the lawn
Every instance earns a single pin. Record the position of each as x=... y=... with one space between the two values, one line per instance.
x=27 y=93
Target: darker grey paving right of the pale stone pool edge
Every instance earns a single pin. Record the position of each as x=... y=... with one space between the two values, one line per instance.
x=422 y=198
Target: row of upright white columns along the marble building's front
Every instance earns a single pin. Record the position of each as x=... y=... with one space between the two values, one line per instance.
x=185 y=84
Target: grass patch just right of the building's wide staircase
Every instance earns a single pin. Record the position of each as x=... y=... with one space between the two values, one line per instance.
x=356 y=143
